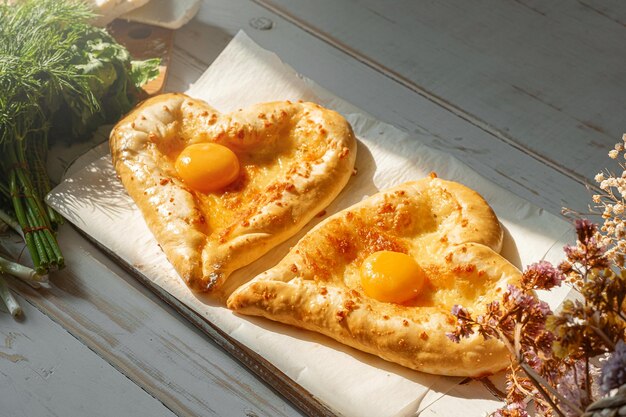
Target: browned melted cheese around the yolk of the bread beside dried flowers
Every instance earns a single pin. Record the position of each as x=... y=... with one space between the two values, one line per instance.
x=406 y=228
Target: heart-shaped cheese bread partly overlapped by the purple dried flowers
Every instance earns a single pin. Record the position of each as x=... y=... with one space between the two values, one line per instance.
x=383 y=275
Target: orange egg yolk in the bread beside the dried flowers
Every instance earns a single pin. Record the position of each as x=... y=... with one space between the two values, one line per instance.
x=391 y=277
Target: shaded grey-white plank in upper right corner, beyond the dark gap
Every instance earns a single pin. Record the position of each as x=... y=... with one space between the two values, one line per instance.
x=546 y=77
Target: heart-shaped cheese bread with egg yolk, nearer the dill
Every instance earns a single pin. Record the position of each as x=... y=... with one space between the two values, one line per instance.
x=220 y=190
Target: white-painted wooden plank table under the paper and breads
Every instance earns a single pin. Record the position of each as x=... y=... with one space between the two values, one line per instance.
x=531 y=94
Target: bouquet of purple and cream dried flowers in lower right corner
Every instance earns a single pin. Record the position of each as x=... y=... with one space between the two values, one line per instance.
x=571 y=362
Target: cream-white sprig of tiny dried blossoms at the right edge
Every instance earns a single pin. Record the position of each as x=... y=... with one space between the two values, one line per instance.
x=612 y=205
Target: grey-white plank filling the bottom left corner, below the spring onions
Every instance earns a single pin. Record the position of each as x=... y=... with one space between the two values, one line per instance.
x=46 y=372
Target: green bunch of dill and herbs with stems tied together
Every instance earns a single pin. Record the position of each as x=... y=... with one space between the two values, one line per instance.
x=60 y=78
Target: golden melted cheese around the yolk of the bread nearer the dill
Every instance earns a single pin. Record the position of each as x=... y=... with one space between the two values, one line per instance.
x=287 y=148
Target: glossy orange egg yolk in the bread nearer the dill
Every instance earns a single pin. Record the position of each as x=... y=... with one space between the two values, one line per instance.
x=207 y=167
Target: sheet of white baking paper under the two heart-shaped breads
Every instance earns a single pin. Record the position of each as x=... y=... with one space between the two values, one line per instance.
x=350 y=382
